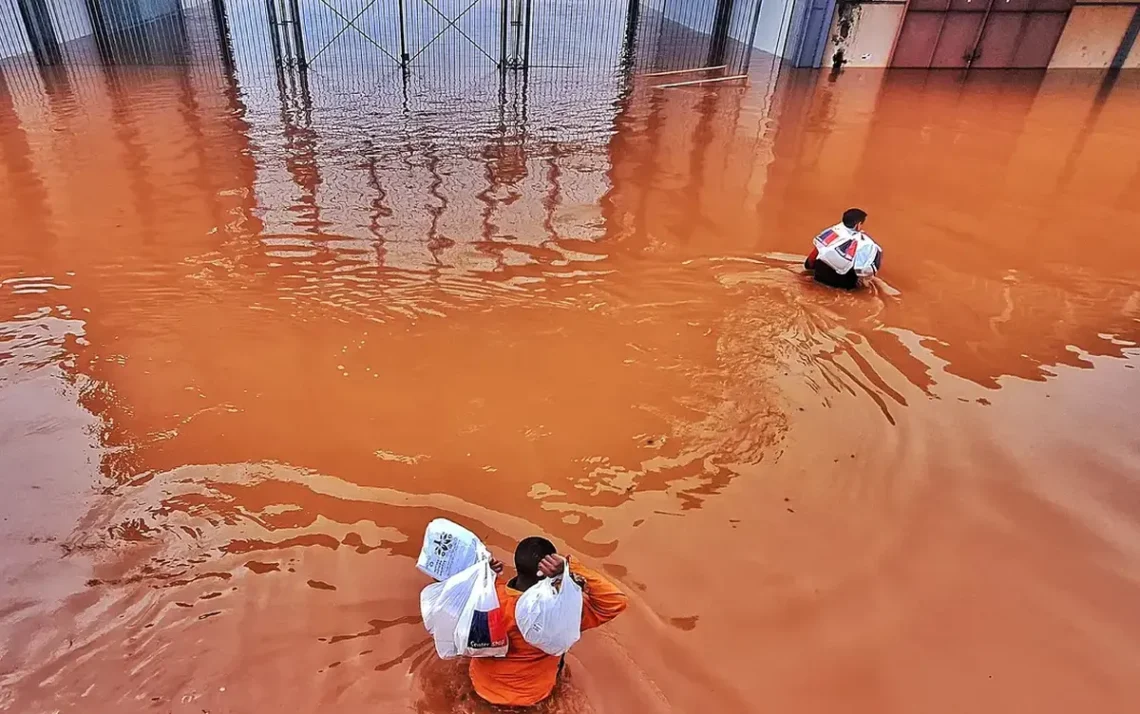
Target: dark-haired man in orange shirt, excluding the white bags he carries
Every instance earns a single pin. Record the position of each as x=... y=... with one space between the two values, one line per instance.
x=527 y=675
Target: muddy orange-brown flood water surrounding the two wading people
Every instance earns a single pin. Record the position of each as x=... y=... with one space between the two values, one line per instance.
x=253 y=342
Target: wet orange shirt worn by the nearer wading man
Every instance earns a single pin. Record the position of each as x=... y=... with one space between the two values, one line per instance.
x=527 y=675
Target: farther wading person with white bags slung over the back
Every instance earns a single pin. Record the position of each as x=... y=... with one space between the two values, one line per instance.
x=843 y=254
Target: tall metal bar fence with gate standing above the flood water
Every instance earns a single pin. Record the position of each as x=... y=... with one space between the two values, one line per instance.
x=442 y=42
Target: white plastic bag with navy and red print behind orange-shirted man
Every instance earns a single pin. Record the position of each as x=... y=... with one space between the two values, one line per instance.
x=463 y=614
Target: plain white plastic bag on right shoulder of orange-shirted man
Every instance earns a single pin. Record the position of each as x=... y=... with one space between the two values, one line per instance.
x=550 y=618
